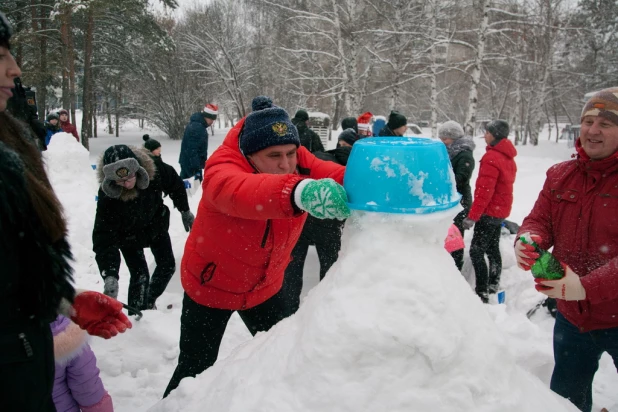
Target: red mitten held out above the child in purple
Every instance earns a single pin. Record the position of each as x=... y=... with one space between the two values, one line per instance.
x=99 y=315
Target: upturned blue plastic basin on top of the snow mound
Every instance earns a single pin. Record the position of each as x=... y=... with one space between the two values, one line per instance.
x=400 y=175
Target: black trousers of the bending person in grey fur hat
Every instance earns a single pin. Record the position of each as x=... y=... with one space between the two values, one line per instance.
x=144 y=291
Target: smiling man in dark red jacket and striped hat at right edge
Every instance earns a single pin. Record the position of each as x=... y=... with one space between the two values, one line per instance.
x=576 y=213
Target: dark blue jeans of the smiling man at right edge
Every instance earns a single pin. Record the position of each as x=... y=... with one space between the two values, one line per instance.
x=577 y=355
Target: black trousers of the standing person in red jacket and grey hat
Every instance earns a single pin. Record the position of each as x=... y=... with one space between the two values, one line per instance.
x=486 y=241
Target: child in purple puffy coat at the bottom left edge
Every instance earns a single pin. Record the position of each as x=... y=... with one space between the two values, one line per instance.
x=77 y=386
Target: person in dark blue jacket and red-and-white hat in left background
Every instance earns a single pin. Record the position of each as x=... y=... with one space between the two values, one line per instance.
x=194 y=147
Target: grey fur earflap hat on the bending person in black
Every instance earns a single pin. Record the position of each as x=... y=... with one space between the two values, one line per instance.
x=120 y=163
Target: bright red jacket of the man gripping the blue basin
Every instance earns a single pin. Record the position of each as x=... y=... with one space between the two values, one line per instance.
x=245 y=229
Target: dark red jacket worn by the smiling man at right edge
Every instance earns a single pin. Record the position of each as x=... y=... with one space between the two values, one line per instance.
x=577 y=214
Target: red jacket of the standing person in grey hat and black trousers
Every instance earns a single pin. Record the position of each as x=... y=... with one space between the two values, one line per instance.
x=493 y=194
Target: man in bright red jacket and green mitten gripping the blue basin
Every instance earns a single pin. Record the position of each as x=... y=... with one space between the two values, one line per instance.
x=258 y=187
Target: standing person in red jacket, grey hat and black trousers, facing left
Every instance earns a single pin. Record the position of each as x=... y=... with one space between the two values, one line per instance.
x=493 y=199
